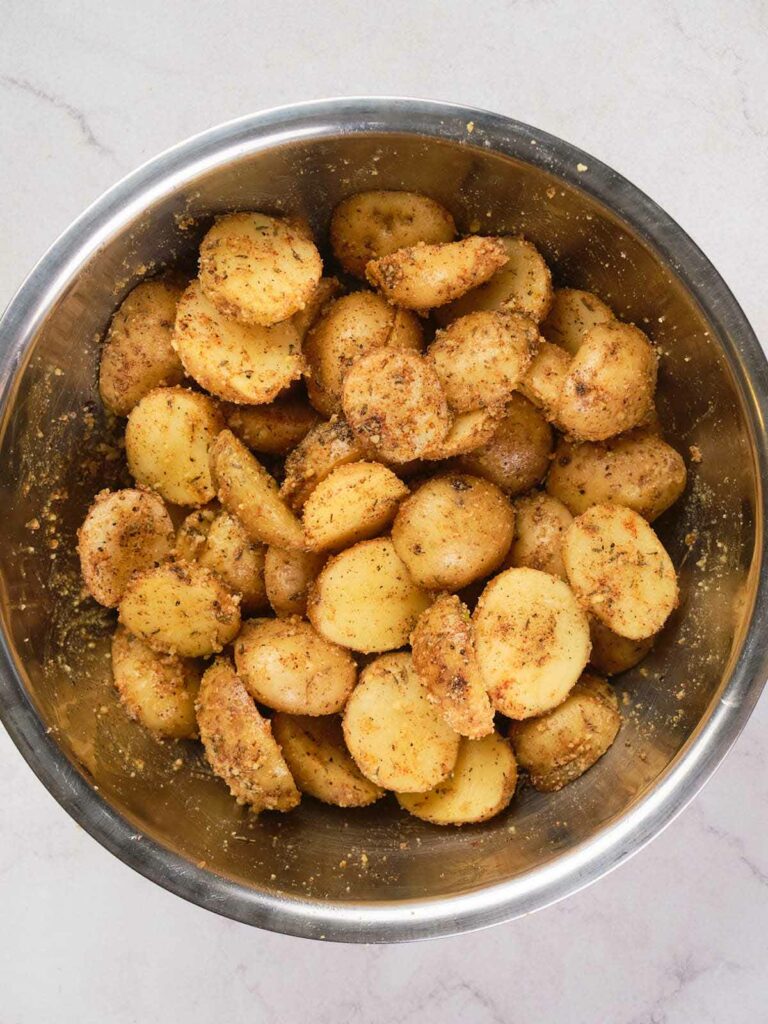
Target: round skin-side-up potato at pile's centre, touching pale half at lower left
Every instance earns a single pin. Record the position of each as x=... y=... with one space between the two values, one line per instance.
x=454 y=530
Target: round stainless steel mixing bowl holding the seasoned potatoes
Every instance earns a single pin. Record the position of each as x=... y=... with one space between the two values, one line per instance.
x=374 y=875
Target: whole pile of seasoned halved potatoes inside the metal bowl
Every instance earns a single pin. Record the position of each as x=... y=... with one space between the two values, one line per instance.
x=329 y=477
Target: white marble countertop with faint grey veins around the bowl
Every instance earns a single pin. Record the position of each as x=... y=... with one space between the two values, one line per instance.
x=672 y=95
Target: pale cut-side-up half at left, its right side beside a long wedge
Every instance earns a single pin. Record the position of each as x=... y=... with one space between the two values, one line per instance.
x=168 y=442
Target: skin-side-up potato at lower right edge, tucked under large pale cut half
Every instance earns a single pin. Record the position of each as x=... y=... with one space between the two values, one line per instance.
x=564 y=744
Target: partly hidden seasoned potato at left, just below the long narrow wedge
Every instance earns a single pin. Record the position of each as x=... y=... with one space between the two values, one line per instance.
x=219 y=542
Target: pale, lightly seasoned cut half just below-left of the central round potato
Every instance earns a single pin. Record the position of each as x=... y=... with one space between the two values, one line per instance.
x=365 y=599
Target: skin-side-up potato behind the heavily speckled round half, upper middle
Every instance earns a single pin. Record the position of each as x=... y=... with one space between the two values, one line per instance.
x=350 y=328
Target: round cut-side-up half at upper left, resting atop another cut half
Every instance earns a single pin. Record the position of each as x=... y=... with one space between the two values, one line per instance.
x=259 y=270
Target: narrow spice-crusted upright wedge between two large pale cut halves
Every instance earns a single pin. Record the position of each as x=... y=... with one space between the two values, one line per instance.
x=445 y=659
